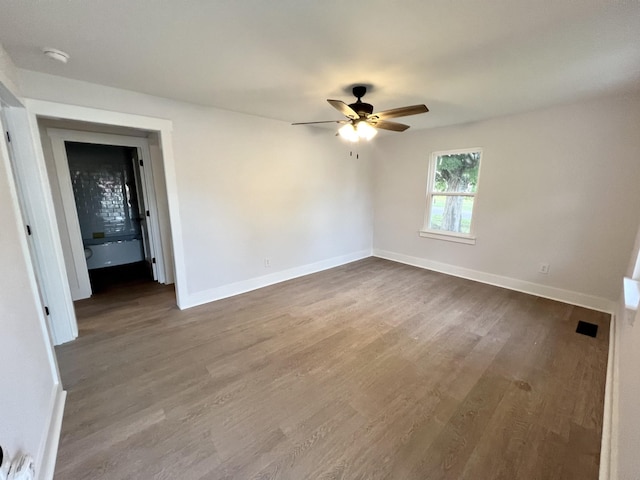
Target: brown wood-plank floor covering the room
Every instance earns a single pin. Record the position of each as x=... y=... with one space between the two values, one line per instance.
x=373 y=370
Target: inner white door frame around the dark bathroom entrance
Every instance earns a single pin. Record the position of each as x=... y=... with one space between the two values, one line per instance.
x=58 y=138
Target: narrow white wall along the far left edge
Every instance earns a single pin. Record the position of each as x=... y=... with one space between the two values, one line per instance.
x=28 y=377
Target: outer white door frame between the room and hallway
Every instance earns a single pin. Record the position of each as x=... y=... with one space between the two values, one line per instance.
x=36 y=179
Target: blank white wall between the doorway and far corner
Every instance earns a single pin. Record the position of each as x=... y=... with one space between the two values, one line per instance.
x=249 y=188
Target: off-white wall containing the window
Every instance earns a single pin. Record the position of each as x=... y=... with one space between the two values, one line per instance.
x=556 y=186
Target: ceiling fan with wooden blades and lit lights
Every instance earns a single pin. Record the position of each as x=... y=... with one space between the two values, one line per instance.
x=362 y=122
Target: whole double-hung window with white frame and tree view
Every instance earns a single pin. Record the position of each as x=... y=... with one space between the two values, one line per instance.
x=452 y=186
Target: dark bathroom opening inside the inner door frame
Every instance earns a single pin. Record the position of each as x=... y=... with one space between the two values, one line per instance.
x=110 y=203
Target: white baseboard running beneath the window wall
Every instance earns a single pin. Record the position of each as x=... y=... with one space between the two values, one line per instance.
x=553 y=293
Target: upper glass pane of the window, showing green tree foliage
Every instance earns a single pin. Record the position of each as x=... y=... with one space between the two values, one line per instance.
x=457 y=172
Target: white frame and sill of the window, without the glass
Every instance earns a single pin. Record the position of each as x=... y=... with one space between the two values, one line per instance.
x=467 y=238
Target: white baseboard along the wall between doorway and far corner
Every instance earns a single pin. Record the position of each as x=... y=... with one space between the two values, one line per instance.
x=237 y=288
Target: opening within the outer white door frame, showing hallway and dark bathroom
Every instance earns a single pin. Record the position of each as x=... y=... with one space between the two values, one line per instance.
x=107 y=207
